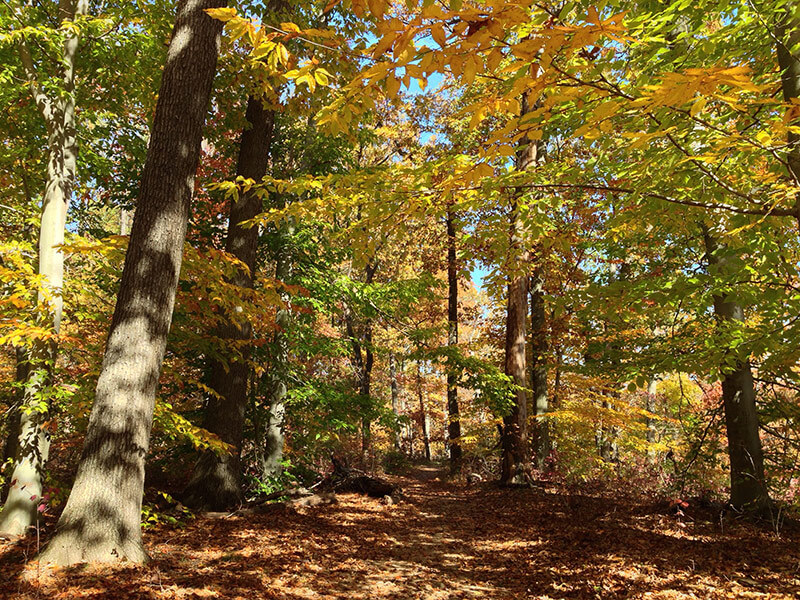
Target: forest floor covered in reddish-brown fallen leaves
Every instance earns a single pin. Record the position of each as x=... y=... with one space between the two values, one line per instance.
x=445 y=541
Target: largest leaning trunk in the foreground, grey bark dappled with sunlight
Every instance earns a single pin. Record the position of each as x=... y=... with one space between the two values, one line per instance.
x=102 y=518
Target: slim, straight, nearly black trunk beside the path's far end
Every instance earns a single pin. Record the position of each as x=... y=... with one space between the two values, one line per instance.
x=453 y=416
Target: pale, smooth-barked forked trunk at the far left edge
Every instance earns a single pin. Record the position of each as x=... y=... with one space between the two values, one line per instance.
x=58 y=111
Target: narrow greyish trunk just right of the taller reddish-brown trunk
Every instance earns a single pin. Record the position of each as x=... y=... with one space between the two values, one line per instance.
x=540 y=433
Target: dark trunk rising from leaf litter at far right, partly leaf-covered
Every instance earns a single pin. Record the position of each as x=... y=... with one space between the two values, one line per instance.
x=748 y=484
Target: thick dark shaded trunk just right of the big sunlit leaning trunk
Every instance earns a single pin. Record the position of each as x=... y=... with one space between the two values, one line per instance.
x=215 y=483
